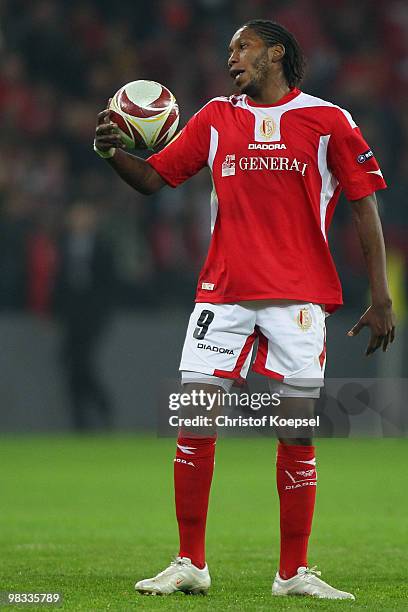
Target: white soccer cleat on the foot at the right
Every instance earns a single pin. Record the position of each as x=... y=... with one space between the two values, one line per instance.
x=306 y=582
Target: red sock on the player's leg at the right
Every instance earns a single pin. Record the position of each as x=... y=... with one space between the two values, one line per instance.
x=296 y=481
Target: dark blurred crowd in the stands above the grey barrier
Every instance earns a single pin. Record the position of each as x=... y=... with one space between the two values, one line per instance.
x=75 y=242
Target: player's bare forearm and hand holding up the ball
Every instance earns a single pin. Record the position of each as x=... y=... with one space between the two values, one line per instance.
x=135 y=171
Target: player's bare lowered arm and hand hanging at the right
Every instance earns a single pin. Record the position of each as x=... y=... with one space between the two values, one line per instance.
x=379 y=316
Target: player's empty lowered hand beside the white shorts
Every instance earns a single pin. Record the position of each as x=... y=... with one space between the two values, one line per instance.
x=381 y=321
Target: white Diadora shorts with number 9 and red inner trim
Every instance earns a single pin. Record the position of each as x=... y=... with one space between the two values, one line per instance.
x=291 y=341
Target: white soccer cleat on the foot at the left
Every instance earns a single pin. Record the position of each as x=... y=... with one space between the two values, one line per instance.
x=181 y=575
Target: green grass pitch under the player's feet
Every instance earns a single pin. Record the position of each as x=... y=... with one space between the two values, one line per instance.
x=89 y=516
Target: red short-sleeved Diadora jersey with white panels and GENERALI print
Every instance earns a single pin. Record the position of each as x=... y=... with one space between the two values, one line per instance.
x=277 y=173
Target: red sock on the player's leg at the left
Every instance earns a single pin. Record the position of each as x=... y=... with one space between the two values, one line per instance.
x=193 y=470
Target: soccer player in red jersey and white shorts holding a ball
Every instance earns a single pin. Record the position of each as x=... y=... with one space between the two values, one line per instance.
x=278 y=159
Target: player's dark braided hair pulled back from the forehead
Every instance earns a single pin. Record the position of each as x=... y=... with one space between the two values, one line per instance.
x=272 y=33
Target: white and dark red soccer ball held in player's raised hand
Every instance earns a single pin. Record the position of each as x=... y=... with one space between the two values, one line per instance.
x=146 y=113
